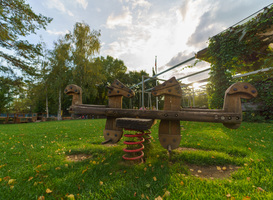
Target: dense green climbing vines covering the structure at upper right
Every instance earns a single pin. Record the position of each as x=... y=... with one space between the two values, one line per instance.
x=239 y=49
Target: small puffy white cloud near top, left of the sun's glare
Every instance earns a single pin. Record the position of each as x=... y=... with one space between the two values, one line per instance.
x=124 y=19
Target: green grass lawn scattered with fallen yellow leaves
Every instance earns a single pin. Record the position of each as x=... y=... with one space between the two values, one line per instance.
x=33 y=159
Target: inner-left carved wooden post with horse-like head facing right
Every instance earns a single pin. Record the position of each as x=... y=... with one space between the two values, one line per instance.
x=116 y=92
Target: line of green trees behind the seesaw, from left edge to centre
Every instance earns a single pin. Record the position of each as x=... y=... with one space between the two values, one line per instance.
x=33 y=78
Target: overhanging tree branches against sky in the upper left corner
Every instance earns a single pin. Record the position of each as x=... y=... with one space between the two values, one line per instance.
x=17 y=20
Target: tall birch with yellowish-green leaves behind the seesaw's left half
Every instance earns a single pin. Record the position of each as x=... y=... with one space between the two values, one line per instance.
x=84 y=44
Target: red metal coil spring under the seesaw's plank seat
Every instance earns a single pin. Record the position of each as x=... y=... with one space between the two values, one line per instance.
x=136 y=150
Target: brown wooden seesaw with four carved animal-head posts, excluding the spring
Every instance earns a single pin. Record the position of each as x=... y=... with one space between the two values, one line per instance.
x=170 y=116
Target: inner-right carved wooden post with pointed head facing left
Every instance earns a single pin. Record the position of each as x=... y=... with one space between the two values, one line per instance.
x=169 y=131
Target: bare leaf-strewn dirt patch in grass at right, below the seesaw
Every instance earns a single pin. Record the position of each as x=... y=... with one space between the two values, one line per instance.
x=212 y=172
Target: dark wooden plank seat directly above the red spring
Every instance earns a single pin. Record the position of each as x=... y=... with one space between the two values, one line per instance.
x=134 y=123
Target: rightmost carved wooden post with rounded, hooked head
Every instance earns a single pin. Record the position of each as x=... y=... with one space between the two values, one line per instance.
x=233 y=96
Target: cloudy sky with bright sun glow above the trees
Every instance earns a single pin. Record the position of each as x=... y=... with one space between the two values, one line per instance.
x=136 y=31
